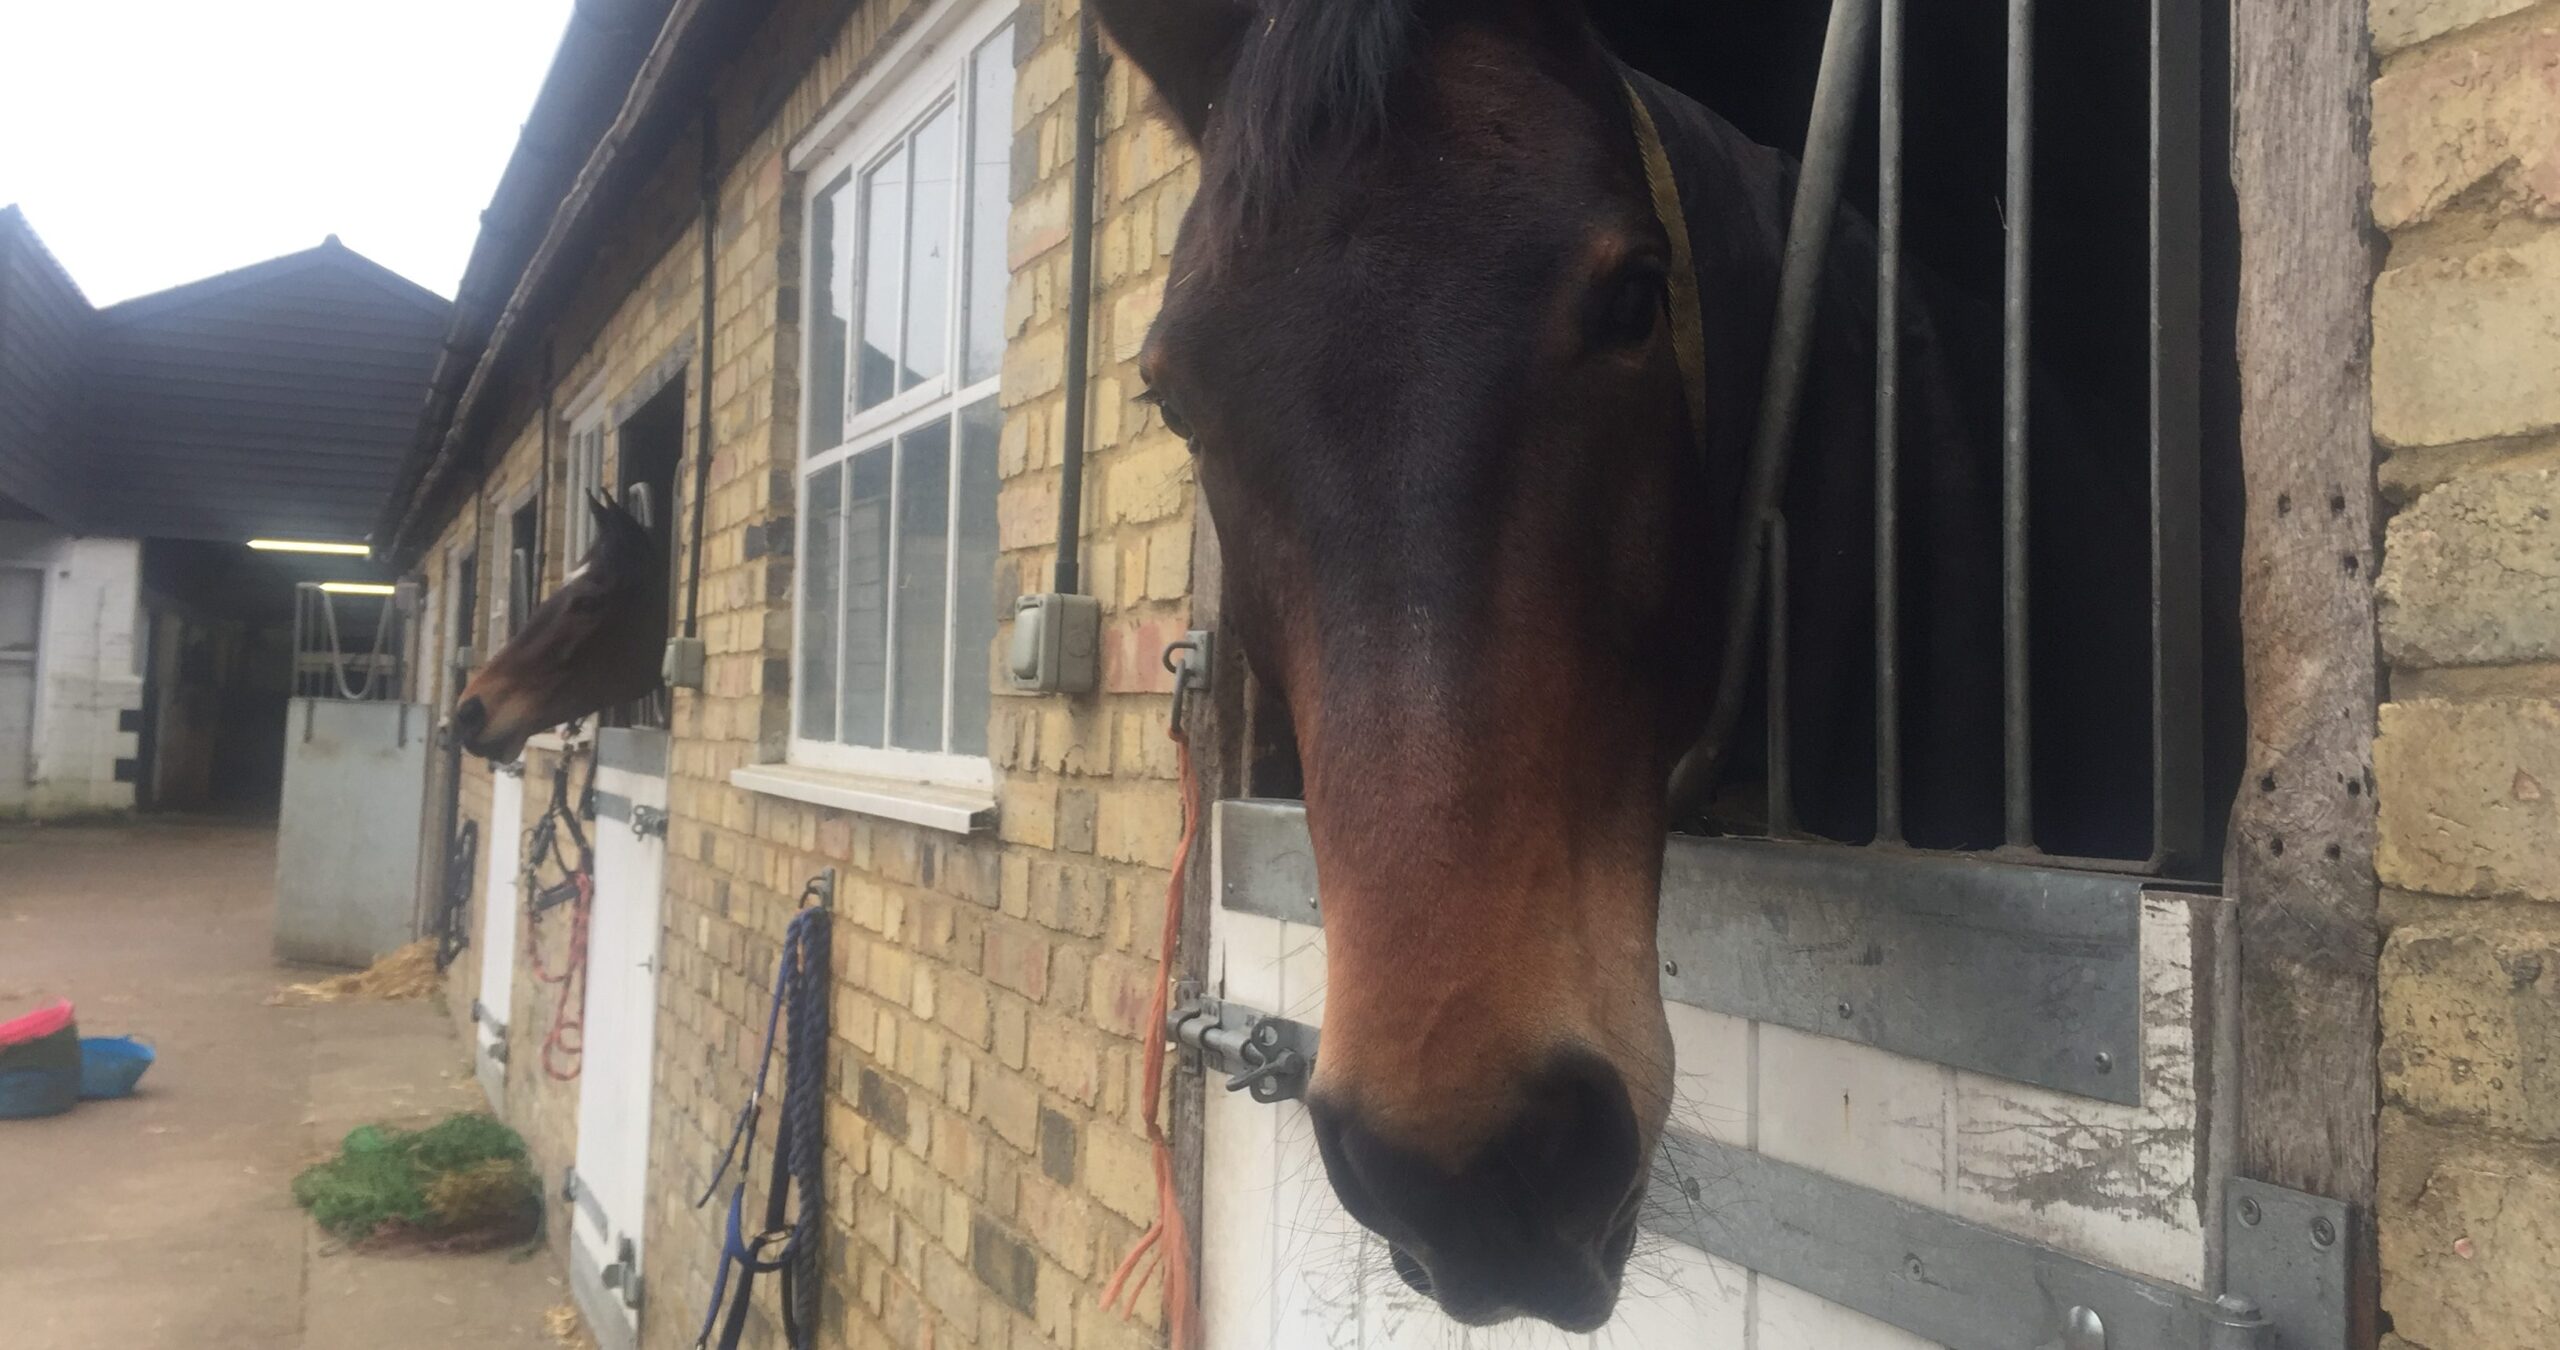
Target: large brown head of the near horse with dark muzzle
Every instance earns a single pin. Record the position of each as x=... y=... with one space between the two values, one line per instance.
x=1417 y=334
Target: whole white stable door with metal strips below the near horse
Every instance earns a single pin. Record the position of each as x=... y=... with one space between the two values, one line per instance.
x=1919 y=1103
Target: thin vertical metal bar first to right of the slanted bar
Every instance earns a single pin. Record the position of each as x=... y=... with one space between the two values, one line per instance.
x=1888 y=424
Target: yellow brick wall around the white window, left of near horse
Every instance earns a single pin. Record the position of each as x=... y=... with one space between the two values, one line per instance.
x=984 y=1128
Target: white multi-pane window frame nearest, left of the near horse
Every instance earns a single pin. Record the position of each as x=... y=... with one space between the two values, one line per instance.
x=928 y=70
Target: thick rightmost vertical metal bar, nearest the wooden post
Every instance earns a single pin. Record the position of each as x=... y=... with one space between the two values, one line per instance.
x=2177 y=570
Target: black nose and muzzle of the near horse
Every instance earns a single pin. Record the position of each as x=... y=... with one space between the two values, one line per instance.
x=1537 y=1223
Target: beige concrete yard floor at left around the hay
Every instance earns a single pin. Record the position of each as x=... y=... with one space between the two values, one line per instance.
x=165 y=1221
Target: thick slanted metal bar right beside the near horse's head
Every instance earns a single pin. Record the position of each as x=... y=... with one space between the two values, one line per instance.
x=1791 y=342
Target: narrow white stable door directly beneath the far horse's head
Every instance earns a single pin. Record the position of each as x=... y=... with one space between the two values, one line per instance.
x=621 y=1034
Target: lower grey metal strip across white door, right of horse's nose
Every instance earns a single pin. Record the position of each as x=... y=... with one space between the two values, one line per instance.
x=1949 y=1282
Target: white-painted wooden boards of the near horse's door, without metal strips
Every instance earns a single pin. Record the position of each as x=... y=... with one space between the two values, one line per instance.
x=2116 y=1185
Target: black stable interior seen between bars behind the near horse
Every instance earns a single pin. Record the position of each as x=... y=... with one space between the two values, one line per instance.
x=2090 y=432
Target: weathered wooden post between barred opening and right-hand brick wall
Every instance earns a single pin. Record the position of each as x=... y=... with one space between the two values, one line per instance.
x=2300 y=857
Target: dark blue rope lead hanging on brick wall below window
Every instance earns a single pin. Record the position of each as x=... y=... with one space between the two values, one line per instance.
x=800 y=1149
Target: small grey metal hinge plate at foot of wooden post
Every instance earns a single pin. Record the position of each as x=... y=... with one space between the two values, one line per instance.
x=2290 y=1254
